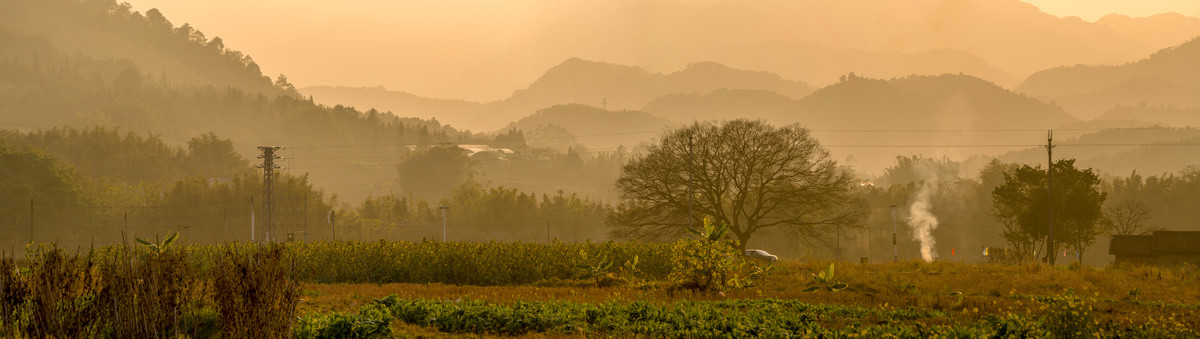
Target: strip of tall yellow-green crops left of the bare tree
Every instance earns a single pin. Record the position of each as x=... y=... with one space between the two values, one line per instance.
x=461 y=264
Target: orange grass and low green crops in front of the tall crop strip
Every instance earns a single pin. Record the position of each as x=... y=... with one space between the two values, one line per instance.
x=905 y=300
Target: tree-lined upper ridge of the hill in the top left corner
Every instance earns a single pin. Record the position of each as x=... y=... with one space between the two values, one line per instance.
x=106 y=31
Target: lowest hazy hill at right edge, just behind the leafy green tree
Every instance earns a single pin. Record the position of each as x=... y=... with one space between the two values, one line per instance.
x=1151 y=151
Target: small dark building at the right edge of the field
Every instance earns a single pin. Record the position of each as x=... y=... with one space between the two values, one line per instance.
x=1162 y=248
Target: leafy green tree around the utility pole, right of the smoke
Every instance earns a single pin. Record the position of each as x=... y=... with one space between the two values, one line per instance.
x=1022 y=206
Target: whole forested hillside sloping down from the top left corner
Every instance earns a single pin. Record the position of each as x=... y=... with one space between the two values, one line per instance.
x=52 y=76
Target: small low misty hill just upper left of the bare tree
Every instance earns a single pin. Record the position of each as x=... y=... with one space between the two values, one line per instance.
x=597 y=128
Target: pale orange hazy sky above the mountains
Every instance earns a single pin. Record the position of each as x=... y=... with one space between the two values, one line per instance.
x=475 y=50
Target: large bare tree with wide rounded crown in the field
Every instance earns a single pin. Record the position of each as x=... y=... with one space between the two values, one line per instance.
x=747 y=175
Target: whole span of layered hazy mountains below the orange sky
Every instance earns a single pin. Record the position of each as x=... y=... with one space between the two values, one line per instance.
x=67 y=63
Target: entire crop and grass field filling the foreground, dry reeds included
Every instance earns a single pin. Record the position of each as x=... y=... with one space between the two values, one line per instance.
x=382 y=290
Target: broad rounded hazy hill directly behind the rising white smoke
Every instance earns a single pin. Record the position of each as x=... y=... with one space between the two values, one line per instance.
x=919 y=114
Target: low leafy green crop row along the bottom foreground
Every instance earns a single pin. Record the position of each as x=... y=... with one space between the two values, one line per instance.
x=1066 y=318
